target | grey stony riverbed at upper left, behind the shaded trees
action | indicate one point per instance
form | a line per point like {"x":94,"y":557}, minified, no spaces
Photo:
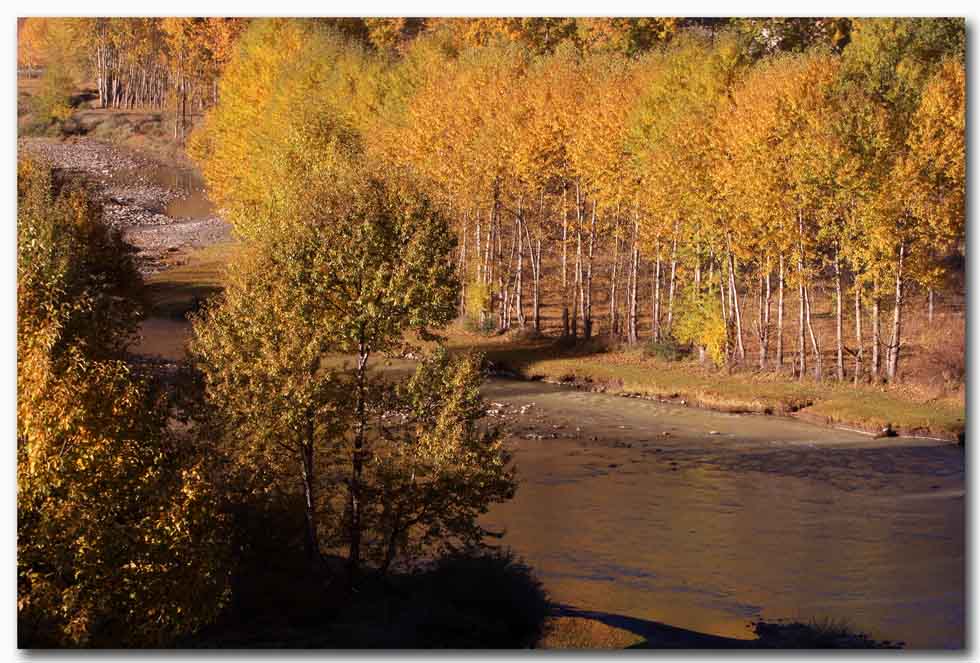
{"x":160,"y":209}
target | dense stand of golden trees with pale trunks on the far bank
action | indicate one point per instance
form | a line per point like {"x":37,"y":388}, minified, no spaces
{"x":699,"y":166}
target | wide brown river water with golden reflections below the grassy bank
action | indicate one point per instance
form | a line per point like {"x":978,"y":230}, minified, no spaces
{"x":709,"y":531}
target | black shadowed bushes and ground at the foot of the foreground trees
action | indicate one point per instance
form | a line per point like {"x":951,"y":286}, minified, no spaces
{"x":474,"y":600}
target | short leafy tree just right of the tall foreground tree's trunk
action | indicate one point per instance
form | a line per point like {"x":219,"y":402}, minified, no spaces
{"x":435,"y":468}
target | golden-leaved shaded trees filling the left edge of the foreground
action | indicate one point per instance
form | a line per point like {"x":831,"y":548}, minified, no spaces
{"x":120,"y":541}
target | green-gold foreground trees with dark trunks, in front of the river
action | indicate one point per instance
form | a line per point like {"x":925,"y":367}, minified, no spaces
{"x":385,"y":469}
